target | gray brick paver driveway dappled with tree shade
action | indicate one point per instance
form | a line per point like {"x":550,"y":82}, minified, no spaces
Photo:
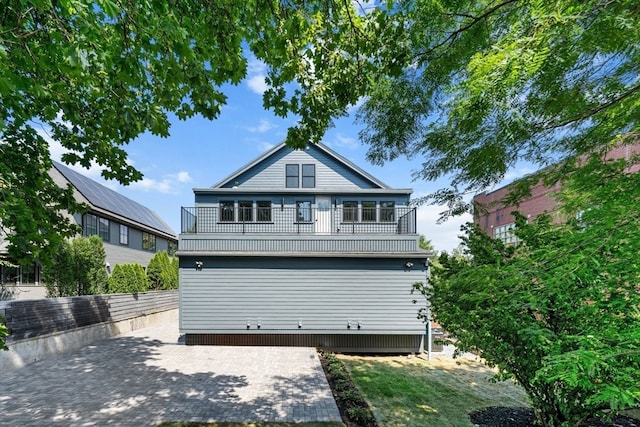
{"x":146,"y":377}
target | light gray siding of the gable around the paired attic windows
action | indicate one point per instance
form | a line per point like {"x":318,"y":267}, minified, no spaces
{"x":270,"y":174}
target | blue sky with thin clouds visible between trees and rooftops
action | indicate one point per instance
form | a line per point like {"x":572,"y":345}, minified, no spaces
{"x":199,"y":153}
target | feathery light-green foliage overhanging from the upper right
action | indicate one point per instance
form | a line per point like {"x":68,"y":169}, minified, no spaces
{"x":490,"y":83}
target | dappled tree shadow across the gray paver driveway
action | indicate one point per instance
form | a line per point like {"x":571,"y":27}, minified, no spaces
{"x":124,"y":381}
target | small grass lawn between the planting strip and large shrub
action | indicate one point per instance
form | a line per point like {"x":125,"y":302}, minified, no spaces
{"x":405,"y":391}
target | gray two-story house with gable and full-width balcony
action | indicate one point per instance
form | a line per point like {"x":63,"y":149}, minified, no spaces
{"x":301,"y":247}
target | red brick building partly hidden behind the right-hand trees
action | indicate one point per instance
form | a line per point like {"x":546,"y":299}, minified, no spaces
{"x":495,"y":218}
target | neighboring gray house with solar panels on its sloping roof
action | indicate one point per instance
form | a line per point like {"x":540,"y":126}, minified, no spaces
{"x":131,"y":233}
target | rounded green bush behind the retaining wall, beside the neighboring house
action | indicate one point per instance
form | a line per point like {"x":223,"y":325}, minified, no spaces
{"x":78,"y":268}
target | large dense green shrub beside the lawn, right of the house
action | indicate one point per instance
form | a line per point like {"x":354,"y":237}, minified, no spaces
{"x":560,"y":312}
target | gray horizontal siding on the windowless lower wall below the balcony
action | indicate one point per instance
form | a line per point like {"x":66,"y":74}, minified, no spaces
{"x":321,"y":294}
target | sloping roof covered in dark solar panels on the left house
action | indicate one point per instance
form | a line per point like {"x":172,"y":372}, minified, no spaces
{"x":104,"y":198}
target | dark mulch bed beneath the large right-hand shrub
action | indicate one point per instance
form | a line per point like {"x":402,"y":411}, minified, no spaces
{"x":499,"y":416}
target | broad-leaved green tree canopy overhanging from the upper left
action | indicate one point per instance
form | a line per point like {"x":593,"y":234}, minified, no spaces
{"x":98,"y":74}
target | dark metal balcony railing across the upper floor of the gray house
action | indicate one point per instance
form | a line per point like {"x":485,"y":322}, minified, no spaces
{"x":288,"y":220}
